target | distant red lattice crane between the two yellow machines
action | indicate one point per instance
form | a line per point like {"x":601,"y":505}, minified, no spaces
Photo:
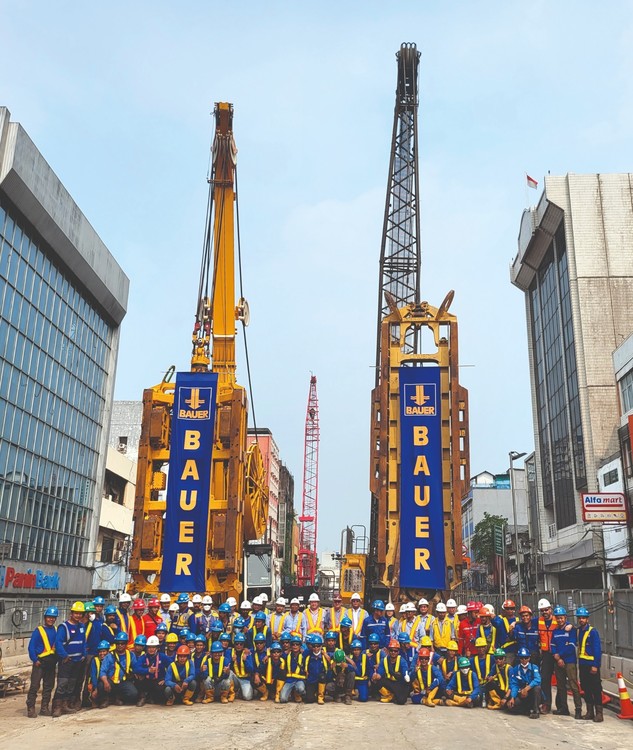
{"x":309,"y":509}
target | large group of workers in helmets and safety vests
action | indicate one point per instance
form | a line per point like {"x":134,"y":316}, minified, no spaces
{"x":185,"y":651}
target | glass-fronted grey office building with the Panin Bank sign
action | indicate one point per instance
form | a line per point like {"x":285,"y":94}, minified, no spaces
{"x":62,"y":300}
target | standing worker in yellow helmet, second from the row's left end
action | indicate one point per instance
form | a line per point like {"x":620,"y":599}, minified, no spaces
{"x":70,"y":646}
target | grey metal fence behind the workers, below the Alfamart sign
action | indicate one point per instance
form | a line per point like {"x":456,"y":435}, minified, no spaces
{"x":611,"y":612}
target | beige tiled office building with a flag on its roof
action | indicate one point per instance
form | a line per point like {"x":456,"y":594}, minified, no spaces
{"x":575,"y":268}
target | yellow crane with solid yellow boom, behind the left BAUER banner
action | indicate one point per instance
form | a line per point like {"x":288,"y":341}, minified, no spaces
{"x":237,"y":504}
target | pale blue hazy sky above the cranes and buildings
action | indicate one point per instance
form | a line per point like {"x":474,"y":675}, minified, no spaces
{"x":118,"y":99}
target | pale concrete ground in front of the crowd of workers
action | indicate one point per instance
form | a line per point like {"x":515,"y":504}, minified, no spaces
{"x":292,"y":726}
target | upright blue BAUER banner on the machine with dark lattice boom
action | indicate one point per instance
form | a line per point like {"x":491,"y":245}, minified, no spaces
{"x":422,"y":558}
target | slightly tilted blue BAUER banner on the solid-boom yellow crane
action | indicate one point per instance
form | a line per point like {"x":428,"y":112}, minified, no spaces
{"x":189,"y":483}
